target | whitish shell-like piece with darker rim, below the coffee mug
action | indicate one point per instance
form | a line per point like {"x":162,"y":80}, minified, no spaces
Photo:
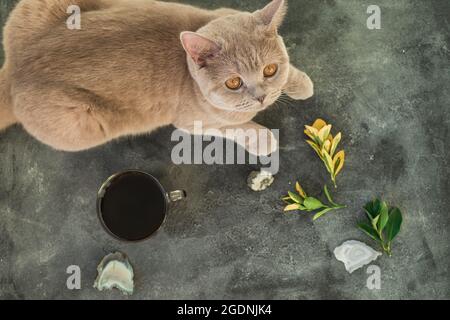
{"x":115,"y":271}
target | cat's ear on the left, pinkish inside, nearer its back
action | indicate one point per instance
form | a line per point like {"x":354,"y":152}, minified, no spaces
{"x":199,"y":48}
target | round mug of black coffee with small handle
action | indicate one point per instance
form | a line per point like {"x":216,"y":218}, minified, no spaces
{"x":132,"y":205}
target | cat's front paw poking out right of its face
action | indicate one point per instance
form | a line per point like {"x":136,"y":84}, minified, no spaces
{"x":299,"y":85}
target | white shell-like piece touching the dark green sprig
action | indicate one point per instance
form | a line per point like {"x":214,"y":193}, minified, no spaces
{"x":355,"y":255}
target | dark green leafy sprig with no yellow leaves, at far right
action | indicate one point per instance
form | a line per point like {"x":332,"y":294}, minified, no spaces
{"x":384,"y":224}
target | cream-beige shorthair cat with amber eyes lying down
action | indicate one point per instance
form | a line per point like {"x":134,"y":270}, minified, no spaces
{"x":134,"y":66}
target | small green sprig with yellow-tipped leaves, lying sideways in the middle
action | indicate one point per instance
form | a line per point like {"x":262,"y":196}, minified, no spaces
{"x":300,"y":201}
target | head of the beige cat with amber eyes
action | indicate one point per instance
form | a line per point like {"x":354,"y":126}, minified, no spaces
{"x":239,"y":62}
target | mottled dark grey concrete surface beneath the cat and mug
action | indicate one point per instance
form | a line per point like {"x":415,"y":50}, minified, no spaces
{"x":386,"y":90}
